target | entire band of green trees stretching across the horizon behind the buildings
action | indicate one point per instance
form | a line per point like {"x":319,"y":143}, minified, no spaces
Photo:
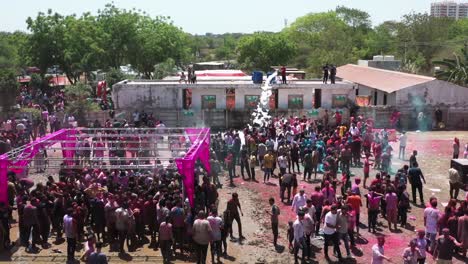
{"x":112,"y":37}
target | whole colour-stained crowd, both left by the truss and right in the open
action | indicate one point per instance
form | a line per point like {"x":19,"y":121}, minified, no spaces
{"x":119,"y":208}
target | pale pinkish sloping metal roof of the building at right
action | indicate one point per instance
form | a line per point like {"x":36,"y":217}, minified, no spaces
{"x":384,"y":80}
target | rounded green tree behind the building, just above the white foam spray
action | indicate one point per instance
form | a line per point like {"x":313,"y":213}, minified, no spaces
{"x":263,"y":50}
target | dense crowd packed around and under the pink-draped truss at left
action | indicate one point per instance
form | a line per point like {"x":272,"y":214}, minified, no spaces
{"x":122,"y":209}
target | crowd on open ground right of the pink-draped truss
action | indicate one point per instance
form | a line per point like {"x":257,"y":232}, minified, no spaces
{"x":333,"y":210}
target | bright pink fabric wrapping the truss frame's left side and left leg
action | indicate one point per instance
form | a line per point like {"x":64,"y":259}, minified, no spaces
{"x":30,"y":150}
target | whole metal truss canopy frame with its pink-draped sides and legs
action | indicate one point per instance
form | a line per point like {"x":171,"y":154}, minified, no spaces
{"x":181,"y":155}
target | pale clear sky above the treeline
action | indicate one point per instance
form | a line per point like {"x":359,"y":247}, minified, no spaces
{"x":213,"y":16}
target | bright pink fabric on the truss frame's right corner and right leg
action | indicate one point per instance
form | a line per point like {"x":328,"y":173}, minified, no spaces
{"x":200,"y":149}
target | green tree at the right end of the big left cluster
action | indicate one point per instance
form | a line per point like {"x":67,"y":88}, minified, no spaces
{"x":157,"y":40}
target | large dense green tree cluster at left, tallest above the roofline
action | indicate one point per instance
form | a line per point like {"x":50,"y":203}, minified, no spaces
{"x":112,"y":38}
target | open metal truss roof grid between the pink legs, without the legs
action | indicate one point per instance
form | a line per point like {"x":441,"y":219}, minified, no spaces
{"x":110,"y":148}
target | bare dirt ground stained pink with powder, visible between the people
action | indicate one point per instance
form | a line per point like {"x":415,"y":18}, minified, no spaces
{"x":435,"y":151}
